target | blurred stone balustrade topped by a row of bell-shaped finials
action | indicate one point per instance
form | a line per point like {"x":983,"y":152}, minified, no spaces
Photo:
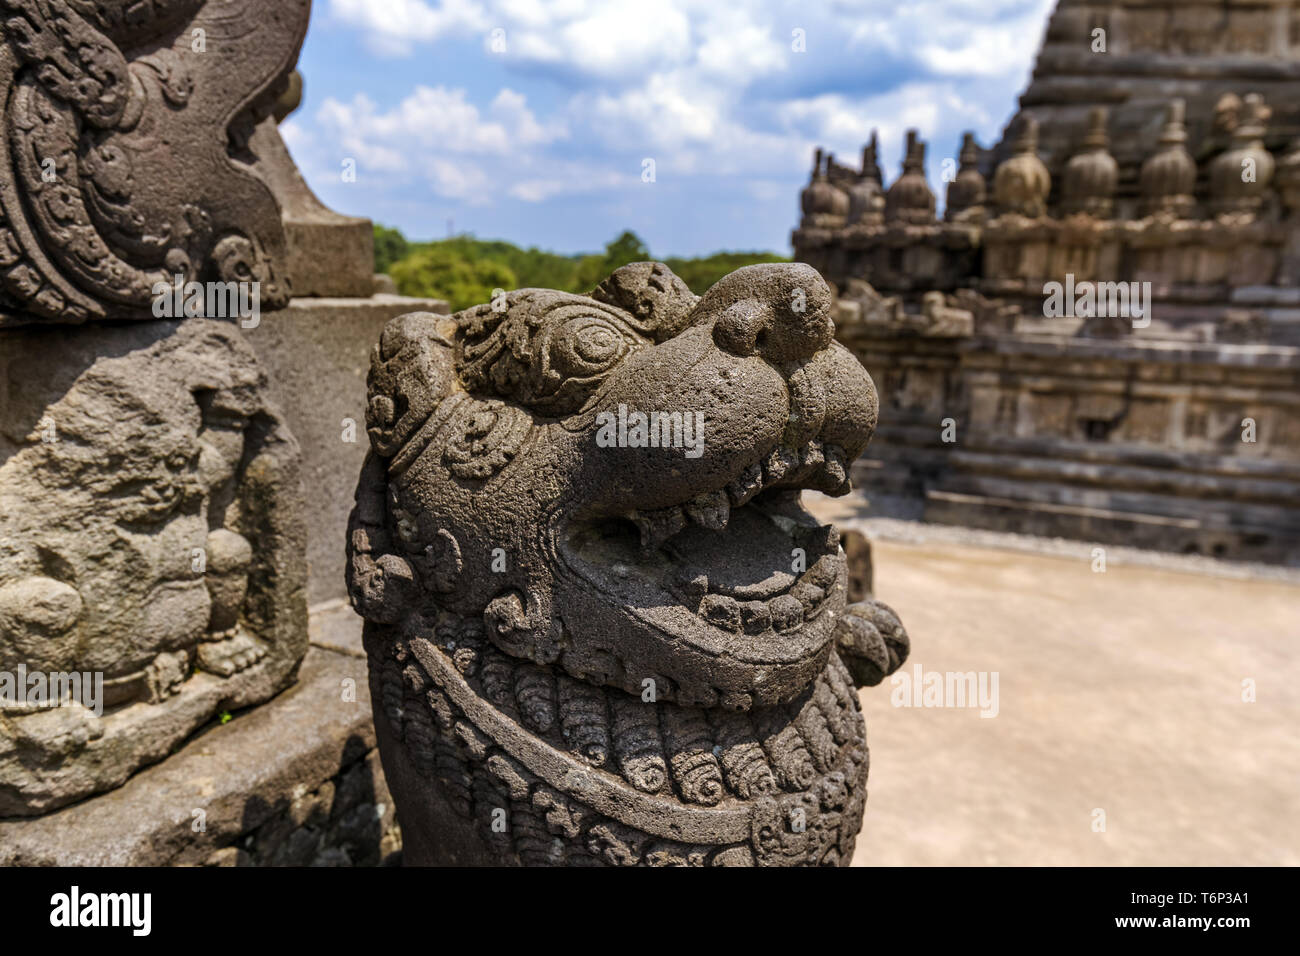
{"x":1108,"y":220}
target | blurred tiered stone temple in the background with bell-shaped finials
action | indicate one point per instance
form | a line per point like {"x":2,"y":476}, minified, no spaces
{"x":1100,"y":338}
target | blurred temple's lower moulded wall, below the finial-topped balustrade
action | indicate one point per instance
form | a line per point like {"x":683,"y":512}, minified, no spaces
{"x":1095,"y":442}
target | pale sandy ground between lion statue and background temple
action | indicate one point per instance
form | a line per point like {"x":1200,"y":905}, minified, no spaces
{"x":1119,"y":693}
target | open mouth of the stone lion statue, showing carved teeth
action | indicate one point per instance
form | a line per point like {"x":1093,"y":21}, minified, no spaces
{"x":742,"y":574}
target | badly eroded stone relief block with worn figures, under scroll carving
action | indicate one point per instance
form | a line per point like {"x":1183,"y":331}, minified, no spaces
{"x":151,"y":534}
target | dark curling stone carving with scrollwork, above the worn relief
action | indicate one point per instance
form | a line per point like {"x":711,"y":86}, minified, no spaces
{"x":124,"y":155}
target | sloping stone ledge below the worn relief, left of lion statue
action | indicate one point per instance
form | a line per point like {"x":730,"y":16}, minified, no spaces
{"x":293,"y":782}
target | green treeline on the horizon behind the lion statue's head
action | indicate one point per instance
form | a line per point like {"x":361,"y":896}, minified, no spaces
{"x":465,"y":270}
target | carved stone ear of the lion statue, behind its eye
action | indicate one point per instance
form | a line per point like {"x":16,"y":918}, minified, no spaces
{"x":413,"y":370}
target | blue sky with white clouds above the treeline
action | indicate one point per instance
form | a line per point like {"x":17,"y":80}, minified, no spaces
{"x":532,"y":120}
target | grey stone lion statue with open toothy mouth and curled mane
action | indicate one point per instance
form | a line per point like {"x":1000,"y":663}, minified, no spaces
{"x":631,"y":656}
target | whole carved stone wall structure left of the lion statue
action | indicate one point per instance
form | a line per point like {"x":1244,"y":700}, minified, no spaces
{"x":184,"y":340}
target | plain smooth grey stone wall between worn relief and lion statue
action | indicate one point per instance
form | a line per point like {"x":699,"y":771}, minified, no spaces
{"x":317,"y":354}
